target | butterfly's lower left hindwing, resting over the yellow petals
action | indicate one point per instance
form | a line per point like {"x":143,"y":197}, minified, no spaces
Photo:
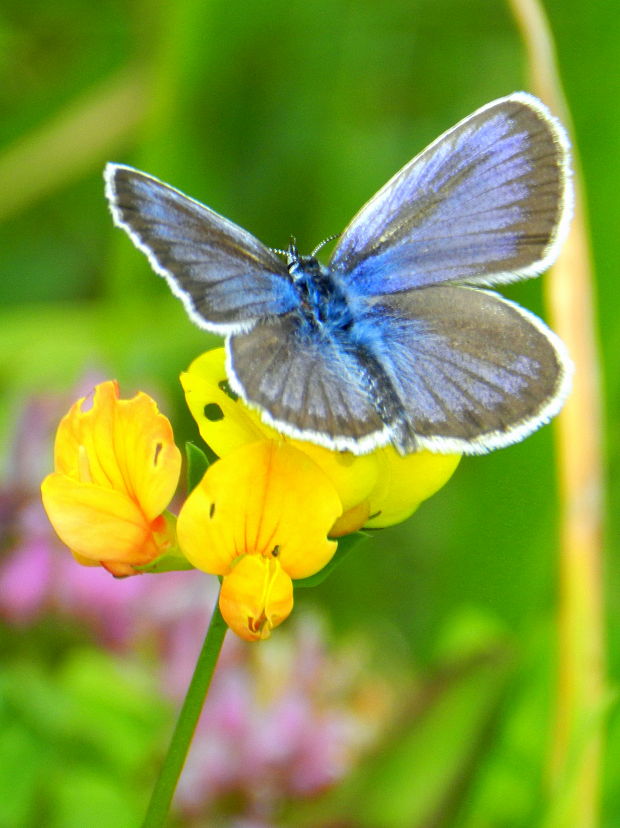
{"x":305,"y":384}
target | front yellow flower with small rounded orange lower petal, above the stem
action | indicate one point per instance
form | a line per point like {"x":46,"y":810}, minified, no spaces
{"x":259,"y":517}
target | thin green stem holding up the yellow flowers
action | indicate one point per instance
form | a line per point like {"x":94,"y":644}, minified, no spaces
{"x":170,"y":772}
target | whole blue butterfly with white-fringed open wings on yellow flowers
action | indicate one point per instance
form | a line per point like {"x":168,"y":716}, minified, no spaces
{"x":398,"y":338}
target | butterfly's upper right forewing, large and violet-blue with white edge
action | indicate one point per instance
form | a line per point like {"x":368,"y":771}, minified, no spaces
{"x":489,"y":201}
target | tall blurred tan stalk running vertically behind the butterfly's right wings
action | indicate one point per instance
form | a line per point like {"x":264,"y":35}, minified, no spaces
{"x":575,"y":761}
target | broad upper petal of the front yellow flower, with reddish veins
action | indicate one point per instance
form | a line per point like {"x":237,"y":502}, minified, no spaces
{"x":266,"y":498}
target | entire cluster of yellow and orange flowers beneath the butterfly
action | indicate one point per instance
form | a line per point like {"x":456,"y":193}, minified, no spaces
{"x":265,"y":514}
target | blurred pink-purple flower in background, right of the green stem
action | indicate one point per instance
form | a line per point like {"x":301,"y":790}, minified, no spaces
{"x":281,"y":722}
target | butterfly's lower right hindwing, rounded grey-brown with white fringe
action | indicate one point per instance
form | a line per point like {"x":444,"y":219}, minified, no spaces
{"x":473,"y":371}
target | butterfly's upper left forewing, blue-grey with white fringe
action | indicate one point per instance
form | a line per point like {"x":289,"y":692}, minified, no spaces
{"x":225,"y":277}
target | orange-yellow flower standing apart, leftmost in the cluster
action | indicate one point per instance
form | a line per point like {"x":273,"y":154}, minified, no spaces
{"x":116,"y":470}
